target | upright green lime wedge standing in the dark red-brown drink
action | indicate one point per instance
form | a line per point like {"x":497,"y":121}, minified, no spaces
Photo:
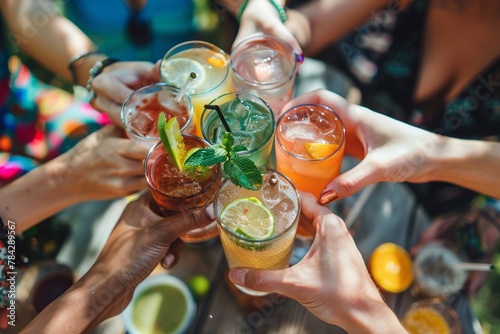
{"x":171,"y":137}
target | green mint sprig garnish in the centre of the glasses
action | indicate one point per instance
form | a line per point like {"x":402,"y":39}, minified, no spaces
{"x":240,"y":170}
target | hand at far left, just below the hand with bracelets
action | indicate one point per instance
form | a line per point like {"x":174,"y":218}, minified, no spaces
{"x":102,"y":165}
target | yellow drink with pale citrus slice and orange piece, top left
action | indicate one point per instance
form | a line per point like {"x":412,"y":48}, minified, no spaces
{"x":211,"y":65}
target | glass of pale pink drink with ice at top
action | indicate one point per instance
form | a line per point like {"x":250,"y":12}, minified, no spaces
{"x":265,"y":66}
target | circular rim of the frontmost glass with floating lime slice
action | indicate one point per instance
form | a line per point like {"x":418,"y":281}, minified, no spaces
{"x":267,"y":170}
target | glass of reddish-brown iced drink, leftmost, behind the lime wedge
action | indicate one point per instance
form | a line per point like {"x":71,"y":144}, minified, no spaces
{"x":140,"y":112}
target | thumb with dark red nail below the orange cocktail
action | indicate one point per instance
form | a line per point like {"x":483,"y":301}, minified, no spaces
{"x":351,"y":182}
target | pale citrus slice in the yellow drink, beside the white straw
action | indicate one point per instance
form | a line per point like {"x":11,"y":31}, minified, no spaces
{"x":177,"y":70}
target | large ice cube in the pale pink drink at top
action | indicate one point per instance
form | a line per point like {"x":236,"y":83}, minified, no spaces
{"x":267,"y":66}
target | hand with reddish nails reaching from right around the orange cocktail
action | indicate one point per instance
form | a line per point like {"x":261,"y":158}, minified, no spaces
{"x":389,"y":150}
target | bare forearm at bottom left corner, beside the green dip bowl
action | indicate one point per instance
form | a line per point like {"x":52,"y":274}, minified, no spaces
{"x":94,"y":298}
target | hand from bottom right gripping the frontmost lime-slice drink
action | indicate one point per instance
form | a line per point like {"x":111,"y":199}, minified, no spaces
{"x":331,"y":280}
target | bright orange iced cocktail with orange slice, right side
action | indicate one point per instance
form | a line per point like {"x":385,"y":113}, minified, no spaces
{"x":310,"y":141}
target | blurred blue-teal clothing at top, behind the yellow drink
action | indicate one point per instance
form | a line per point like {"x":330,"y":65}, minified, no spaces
{"x":105,"y":22}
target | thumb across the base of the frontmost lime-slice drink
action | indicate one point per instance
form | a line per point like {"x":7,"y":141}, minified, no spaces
{"x":257,"y":279}
